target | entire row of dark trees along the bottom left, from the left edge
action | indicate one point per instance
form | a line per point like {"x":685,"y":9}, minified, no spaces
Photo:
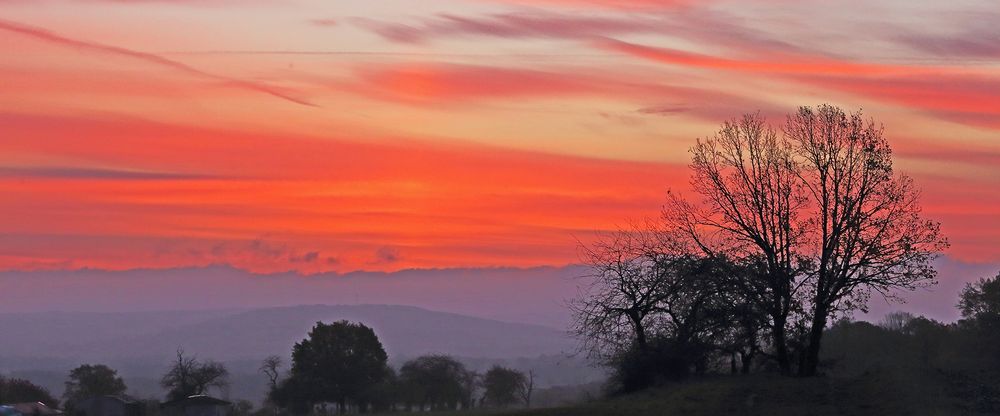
{"x":341,"y":367}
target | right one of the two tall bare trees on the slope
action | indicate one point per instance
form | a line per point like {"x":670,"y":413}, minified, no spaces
{"x":866,"y":230}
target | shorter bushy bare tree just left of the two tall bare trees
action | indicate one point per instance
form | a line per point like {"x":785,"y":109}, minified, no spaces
{"x":653,"y":310}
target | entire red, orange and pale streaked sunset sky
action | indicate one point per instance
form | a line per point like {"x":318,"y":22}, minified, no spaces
{"x":316,"y":136}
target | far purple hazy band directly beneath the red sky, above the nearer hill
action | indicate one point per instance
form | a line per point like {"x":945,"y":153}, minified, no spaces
{"x":541,"y":292}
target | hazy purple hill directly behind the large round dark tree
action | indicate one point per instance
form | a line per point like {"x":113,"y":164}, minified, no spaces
{"x":251,"y":334}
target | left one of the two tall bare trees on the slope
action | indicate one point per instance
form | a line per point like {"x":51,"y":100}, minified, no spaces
{"x":751,"y":197}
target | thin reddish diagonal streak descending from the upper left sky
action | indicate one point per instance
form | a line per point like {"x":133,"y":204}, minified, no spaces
{"x":51,"y":37}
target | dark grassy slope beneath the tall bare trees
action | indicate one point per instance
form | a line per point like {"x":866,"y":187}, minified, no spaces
{"x":872,"y":394}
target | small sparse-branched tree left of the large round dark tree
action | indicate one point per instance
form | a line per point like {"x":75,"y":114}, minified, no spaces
{"x":188,"y":376}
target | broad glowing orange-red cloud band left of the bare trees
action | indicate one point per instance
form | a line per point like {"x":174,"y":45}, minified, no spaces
{"x":439,"y":205}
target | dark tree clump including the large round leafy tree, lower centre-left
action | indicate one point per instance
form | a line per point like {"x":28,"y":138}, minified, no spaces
{"x":344,"y":365}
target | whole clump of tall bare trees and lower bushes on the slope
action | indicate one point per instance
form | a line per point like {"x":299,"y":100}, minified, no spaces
{"x":789,"y":227}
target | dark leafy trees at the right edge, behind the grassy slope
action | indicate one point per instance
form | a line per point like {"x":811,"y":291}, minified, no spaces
{"x":964,"y":354}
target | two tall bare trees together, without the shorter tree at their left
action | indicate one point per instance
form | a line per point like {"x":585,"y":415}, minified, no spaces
{"x":816,"y":213}
